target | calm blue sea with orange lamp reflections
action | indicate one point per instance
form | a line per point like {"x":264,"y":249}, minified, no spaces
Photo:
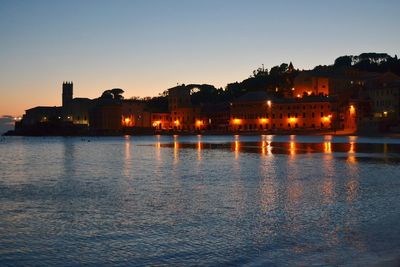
{"x":199,"y":200}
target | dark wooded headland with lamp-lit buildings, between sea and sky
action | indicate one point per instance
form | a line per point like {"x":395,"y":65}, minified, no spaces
{"x":356,"y":94}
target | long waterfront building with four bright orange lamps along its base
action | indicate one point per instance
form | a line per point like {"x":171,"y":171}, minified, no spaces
{"x":258,"y":111}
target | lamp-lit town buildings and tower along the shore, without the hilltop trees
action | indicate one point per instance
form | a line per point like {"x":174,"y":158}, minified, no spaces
{"x":320,"y":100}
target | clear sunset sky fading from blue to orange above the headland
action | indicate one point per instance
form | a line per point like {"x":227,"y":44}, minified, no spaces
{"x":145,"y":47}
